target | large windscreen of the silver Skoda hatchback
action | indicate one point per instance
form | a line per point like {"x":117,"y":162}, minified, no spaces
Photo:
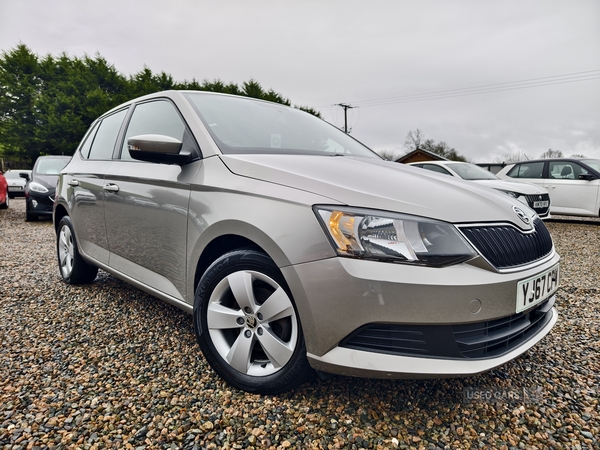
{"x":242,"y":125}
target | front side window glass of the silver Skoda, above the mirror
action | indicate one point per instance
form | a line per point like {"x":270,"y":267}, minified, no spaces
{"x":157,"y":117}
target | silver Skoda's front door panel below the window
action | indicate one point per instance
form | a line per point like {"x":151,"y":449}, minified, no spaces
{"x":146,"y":220}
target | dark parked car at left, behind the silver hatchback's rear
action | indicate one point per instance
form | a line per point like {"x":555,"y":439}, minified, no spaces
{"x":40,"y":187}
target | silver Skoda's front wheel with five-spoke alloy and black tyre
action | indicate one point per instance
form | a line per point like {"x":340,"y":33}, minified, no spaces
{"x":247,"y":325}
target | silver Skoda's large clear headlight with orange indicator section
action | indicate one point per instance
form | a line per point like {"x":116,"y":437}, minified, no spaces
{"x":369,"y":234}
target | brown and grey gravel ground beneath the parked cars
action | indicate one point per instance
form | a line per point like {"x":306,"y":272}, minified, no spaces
{"x":106,"y":366}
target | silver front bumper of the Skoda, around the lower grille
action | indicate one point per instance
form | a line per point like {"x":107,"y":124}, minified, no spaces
{"x":338,"y":297}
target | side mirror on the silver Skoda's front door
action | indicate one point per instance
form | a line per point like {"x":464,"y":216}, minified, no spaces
{"x":157,"y":148}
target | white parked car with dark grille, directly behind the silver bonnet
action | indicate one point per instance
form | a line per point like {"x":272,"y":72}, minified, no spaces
{"x":535,"y":197}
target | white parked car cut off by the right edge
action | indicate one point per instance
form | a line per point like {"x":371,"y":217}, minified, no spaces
{"x":573,"y":184}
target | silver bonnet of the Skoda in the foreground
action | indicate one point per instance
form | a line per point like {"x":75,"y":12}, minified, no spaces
{"x":383,"y":185}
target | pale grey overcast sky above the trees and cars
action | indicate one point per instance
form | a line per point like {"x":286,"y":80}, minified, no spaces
{"x":320,"y":53}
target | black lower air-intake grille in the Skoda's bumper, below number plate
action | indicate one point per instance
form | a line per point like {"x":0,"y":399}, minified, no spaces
{"x":478,"y":340}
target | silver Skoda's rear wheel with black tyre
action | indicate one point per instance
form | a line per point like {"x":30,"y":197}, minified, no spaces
{"x":73,"y":268}
